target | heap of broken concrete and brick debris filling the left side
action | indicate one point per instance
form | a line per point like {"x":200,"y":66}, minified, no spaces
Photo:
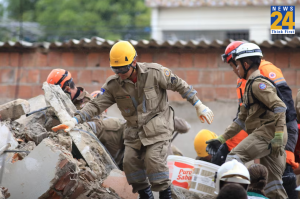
{"x":36,"y":162}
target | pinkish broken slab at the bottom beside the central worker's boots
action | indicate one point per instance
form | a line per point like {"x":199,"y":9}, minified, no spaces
{"x":122,"y":188}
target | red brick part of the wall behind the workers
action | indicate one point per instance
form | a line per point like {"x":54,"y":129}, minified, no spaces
{"x":89,"y":67}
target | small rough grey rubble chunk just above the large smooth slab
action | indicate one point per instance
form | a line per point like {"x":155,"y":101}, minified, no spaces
{"x":36,"y":133}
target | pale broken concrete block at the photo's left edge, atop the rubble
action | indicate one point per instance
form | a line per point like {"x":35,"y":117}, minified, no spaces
{"x":14,"y":109}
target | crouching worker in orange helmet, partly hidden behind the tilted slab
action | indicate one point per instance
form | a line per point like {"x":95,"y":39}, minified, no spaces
{"x":109,"y":130}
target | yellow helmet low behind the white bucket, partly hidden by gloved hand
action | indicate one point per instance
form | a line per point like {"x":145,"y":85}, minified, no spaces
{"x":200,"y":139}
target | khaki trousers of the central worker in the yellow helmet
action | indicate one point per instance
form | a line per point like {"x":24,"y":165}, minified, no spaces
{"x":147,"y":166}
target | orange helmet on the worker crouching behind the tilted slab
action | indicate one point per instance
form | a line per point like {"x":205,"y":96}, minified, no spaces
{"x":59,"y":77}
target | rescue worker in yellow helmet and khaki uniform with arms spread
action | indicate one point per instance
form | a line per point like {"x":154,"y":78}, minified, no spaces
{"x":140,"y":91}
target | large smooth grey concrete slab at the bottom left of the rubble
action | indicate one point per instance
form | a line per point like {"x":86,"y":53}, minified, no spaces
{"x":34,"y":176}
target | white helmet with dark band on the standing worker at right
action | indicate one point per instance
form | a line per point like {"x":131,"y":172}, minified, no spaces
{"x":247,"y":50}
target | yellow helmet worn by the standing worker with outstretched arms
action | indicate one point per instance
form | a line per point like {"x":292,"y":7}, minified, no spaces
{"x":121,"y":54}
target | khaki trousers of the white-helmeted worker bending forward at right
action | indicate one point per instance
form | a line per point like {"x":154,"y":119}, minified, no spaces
{"x":256,"y":147}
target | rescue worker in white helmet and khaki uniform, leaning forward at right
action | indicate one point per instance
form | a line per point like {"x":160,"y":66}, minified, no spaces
{"x":263,"y":117}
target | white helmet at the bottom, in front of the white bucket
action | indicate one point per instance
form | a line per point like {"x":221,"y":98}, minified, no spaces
{"x":232,"y":171}
